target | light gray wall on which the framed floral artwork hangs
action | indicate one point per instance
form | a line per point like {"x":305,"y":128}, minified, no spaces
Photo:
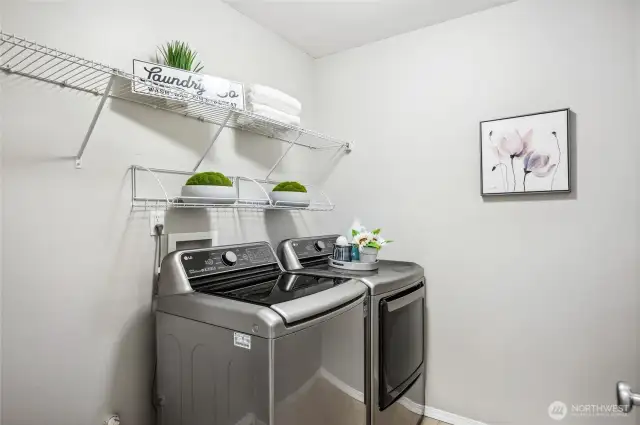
{"x":531,"y":299}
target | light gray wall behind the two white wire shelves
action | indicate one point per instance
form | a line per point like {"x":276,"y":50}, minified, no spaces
{"x":77,"y":334}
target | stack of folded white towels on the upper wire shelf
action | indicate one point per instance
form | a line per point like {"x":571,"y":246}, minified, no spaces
{"x":274,"y":104}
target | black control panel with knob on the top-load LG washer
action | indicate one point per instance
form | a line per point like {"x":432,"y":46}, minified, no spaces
{"x":226,"y":258}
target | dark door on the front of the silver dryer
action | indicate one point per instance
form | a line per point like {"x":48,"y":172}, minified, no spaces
{"x":401,"y":343}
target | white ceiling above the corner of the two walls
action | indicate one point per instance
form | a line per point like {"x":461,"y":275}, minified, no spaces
{"x":323,"y":27}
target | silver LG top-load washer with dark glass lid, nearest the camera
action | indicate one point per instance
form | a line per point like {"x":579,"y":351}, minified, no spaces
{"x":241,"y":342}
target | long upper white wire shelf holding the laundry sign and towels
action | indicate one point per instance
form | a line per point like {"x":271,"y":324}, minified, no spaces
{"x":25,"y":58}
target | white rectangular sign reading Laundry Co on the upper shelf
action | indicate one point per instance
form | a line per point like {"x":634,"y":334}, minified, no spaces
{"x":188,"y":85}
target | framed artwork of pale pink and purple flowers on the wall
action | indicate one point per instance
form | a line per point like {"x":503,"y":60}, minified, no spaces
{"x":525,"y":154}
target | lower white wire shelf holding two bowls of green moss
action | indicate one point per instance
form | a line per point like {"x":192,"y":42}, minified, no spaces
{"x":165,"y":196}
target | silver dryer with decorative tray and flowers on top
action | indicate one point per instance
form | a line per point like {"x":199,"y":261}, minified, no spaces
{"x":395,"y":329}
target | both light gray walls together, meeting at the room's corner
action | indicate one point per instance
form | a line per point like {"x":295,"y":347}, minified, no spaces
{"x":526,"y":297}
